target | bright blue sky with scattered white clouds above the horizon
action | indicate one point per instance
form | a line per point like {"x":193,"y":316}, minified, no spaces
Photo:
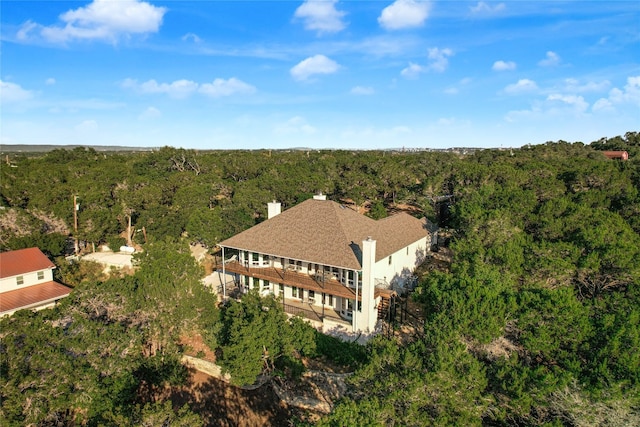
{"x":321,"y":74}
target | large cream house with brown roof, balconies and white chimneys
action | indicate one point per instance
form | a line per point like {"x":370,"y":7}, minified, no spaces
{"x":326,"y":260}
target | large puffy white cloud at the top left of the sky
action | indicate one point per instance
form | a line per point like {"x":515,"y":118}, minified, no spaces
{"x":106,"y":20}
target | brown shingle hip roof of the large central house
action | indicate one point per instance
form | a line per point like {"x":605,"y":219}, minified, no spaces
{"x":325,"y":232}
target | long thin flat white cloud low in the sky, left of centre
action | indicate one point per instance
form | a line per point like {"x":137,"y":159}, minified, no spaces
{"x":183,"y":88}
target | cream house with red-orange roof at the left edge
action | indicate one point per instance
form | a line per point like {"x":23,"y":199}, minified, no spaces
{"x":26,"y":281}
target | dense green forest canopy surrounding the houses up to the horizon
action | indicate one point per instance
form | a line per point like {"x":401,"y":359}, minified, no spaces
{"x":536,"y":321}
